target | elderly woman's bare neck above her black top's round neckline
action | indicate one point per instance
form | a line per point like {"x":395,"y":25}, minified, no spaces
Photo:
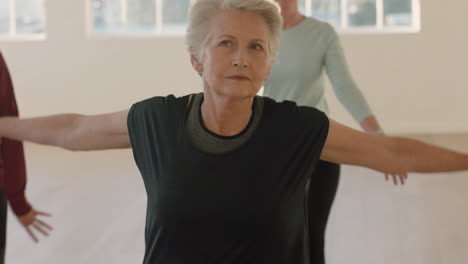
{"x":224,"y":115}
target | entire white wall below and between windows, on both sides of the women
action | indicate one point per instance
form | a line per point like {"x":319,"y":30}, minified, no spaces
{"x":414,"y":82}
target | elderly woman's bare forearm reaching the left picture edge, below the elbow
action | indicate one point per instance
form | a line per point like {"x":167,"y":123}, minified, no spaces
{"x":50,"y":130}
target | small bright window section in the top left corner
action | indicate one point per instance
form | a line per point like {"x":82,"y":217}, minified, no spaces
{"x":22,"y":18}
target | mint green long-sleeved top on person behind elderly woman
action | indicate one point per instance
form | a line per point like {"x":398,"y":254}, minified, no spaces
{"x":306,"y":51}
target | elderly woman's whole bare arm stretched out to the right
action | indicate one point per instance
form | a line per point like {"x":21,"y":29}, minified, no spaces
{"x":388,"y":154}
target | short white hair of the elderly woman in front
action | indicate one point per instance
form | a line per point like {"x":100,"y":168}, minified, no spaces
{"x":203,"y":10}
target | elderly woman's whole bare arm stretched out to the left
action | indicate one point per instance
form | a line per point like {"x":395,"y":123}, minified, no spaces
{"x":70,"y":131}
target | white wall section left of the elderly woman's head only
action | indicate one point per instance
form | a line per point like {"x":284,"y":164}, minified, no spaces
{"x":72,"y":72}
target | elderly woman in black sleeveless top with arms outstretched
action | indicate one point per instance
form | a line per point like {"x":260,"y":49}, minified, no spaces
{"x":225,"y":171}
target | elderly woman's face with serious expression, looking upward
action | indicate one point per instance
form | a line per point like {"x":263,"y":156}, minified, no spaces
{"x":236,"y":60}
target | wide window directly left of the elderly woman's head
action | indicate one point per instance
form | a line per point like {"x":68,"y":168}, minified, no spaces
{"x":139,"y":17}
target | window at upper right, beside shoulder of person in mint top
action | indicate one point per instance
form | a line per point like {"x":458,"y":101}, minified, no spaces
{"x":366,"y":16}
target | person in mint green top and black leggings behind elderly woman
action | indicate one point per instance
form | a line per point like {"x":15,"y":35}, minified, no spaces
{"x":308,"y":49}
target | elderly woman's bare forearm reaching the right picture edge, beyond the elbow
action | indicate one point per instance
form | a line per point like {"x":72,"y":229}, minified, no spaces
{"x":417,"y":156}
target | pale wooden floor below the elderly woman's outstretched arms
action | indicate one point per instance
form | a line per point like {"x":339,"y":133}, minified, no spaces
{"x":98,"y":204}
